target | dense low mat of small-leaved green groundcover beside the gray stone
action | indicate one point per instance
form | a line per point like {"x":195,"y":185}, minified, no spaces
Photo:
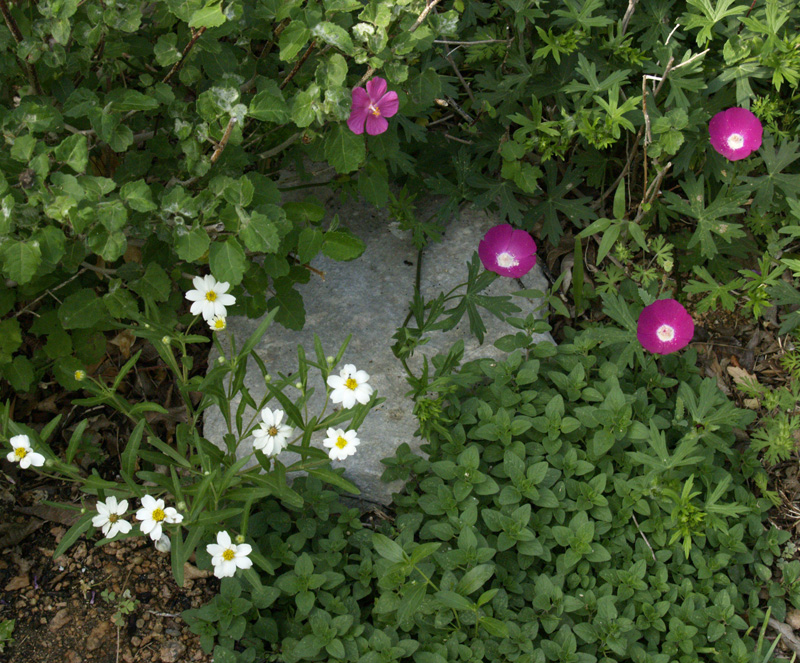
{"x":565,"y":509}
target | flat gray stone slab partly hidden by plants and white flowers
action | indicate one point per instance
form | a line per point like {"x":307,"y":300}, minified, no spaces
{"x":369,"y":298}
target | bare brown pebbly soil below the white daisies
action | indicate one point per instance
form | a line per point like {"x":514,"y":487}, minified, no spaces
{"x":57,"y":604}
